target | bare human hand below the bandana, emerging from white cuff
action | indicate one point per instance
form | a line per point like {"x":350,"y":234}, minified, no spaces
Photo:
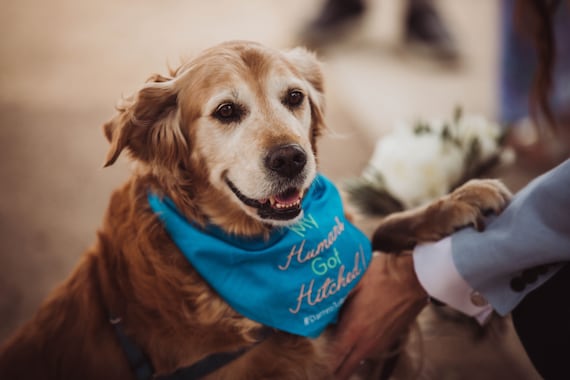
{"x":379,"y":310}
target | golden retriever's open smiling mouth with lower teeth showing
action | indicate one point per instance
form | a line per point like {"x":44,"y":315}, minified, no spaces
{"x":282,"y":206}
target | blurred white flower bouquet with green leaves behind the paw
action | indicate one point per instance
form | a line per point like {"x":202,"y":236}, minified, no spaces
{"x":416,"y":163}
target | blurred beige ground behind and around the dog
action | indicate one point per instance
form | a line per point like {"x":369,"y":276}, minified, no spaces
{"x":65,"y":63}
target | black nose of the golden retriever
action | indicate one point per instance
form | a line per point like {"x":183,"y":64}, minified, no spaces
{"x":286,"y":160}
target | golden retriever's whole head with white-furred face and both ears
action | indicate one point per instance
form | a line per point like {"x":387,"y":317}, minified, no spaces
{"x":237,"y":126}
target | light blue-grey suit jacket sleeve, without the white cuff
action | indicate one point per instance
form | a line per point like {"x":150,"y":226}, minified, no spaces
{"x":533,"y":230}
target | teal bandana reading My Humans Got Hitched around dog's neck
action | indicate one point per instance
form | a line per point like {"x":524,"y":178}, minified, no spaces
{"x":295,"y":281}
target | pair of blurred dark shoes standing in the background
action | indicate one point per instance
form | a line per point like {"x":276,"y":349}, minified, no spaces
{"x":423,"y":26}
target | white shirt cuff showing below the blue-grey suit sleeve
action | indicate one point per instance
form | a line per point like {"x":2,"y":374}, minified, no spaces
{"x":436,"y":271}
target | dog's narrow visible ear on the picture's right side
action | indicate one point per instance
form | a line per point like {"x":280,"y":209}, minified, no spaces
{"x":309,"y":66}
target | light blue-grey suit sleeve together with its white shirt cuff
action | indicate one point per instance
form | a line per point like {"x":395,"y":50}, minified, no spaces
{"x":533,"y":230}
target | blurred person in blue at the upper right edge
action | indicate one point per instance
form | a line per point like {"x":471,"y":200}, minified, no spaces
{"x":518,"y":60}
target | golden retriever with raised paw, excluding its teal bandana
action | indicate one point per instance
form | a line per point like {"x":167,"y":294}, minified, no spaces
{"x":230,"y":139}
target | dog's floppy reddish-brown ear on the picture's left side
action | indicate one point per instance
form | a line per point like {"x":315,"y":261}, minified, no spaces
{"x":148,"y":124}
